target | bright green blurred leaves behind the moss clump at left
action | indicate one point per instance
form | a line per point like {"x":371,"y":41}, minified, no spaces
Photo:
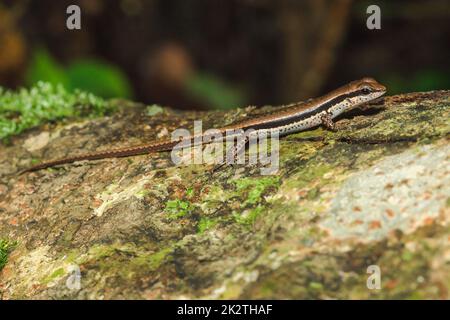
{"x":100,"y":78}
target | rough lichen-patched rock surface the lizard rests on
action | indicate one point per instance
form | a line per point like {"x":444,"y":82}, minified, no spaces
{"x":373,"y":196}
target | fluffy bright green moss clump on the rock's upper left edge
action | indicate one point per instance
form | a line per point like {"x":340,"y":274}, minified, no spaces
{"x":44,"y":102}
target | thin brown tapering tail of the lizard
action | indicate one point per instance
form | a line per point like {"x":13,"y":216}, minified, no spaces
{"x":114,"y":153}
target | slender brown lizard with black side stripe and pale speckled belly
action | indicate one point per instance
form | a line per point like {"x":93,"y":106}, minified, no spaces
{"x":289,"y":119}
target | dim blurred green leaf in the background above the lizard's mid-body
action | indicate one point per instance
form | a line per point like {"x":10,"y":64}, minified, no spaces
{"x":214,"y":92}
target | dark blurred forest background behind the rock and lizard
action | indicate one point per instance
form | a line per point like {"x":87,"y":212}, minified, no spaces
{"x":223,"y":54}
